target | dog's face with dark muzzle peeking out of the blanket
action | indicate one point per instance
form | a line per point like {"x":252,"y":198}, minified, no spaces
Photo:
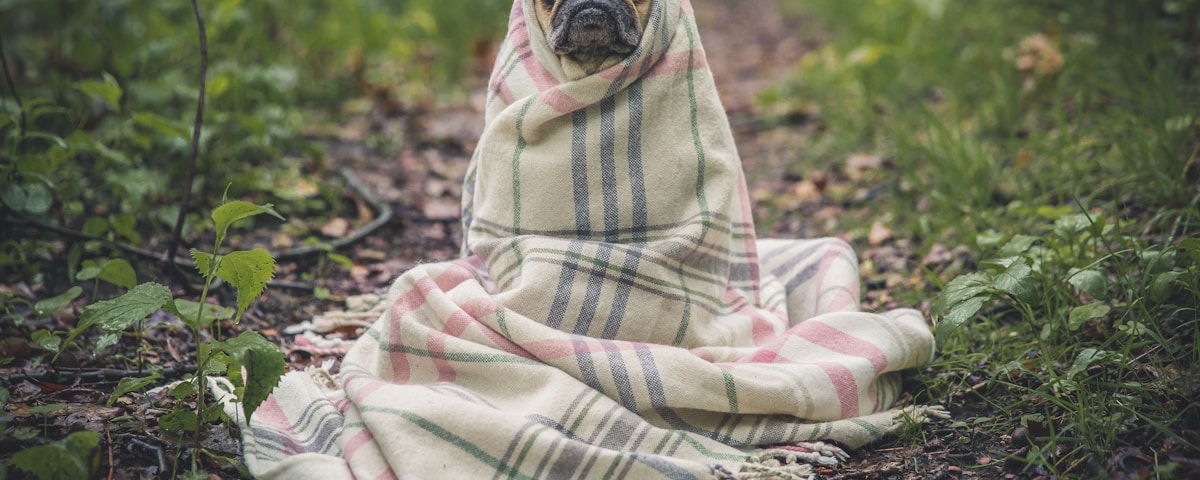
{"x":595,"y":34}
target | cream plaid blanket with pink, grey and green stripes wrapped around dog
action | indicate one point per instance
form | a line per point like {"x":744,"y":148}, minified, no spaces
{"x":614,"y":314}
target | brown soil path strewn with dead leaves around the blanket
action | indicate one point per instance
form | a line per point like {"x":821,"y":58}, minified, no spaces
{"x":417,"y":170}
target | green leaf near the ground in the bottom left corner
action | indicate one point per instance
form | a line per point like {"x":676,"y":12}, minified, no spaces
{"x":74,"y":458}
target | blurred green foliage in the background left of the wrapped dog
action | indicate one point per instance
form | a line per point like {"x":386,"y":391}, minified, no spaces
{"x":97,"y":125}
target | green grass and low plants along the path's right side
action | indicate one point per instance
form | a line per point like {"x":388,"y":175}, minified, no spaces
{"x":1058,"y":141}
